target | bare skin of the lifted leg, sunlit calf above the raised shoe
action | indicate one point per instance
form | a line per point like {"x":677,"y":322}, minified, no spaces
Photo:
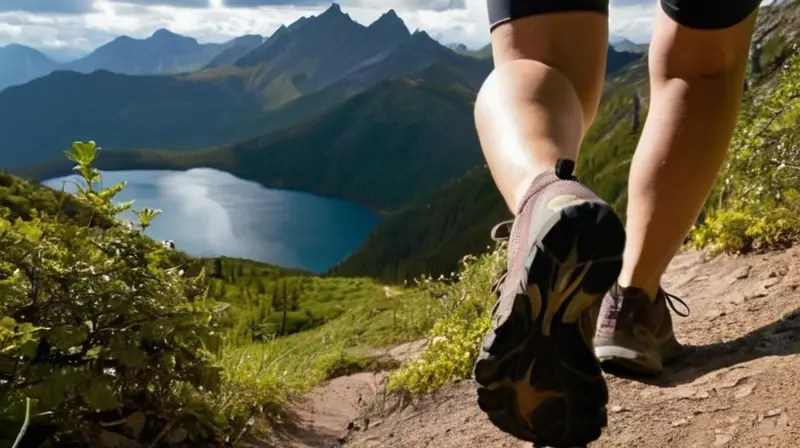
{"x":543,"y":94}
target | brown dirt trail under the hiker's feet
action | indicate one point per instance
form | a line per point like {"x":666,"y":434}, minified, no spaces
{"x":737,"y":386}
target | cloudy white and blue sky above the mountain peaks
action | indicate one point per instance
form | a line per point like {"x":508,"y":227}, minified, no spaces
{"x":67,"y":28}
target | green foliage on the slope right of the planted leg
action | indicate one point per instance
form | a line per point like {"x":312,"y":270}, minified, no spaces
{"x":754,"y":206}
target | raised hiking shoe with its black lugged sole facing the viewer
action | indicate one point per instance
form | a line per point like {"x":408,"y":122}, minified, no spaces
{"x":538,"y":378}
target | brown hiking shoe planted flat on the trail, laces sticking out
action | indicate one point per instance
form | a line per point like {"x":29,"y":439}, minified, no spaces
{"x":634,"y":333}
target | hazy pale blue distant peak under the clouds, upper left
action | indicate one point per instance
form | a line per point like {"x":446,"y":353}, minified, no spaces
{"x":163,"y":52}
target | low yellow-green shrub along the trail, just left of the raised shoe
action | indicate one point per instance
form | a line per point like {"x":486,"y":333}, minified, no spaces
{"x":455,"y":338}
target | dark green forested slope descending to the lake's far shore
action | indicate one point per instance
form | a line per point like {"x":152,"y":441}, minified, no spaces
{"x":381,"y":148}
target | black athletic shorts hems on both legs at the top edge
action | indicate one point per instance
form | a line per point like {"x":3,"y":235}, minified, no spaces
{"x":700,"y":14}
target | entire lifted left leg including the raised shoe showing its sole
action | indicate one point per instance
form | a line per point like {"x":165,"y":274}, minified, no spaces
{"x":538,"y":377}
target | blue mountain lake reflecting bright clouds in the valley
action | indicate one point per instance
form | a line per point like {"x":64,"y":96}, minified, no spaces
{"x":209,"y":212}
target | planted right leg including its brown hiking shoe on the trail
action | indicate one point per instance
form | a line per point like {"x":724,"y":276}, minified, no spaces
{"x":697,"y":65}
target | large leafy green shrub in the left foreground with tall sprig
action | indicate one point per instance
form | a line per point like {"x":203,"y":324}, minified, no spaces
{"x":101,"y":331}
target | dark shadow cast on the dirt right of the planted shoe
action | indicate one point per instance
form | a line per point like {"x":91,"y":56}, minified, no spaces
{"x":781,"y":338}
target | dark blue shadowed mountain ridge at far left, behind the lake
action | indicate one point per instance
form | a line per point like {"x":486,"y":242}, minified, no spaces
{"x":125,"y":111}
